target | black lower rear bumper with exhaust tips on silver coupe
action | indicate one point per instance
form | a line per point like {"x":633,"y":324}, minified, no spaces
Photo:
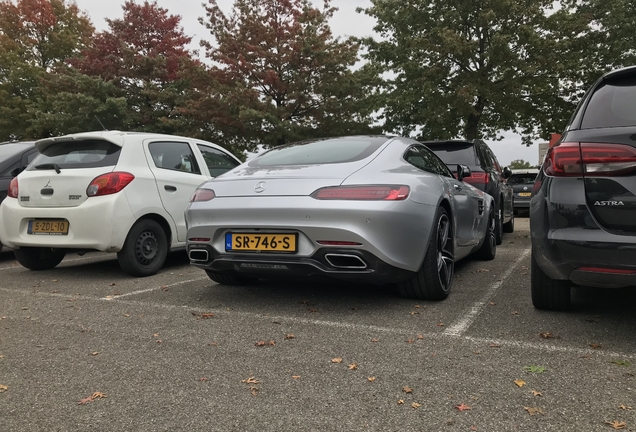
{"x":368,"y":268}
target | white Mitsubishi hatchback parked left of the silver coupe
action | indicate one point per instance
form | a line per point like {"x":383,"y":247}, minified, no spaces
{"x":110,"y":191}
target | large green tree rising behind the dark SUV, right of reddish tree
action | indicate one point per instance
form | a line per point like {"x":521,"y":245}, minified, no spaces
{"x":469,"y":69}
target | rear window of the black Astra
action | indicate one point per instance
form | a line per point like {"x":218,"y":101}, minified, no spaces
{"x":613,"y":104}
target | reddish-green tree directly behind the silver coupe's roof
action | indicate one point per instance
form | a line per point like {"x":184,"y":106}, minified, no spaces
{"x":286,"y":77}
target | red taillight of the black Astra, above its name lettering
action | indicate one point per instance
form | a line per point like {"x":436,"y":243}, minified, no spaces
{"x":590,"y":159}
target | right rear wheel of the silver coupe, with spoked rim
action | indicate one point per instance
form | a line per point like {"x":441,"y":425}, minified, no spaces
{"x":434,"y":278}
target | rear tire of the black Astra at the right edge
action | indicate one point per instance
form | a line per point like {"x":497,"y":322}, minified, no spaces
{"x":548,"y":293}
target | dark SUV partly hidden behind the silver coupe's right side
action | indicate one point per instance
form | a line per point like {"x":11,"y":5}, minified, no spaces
{"x":486,"y":174}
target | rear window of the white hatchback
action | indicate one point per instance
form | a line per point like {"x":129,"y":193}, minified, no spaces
{"x":77,"y":154}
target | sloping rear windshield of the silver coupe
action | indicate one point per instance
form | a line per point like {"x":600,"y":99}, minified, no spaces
{"x":327,"y":151}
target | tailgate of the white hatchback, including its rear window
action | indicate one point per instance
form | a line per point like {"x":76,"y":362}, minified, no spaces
{"x":61,"y":172}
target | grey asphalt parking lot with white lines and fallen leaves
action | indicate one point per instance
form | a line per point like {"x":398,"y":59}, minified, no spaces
{"x":86,"y":347}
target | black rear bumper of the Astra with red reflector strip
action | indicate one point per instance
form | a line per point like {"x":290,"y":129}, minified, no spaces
{"x":566,"y":239}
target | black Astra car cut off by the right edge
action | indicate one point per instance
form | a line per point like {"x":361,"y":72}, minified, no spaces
{"x":583,"y":207}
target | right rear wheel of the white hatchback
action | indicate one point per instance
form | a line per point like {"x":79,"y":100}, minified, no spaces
{"x":145,"y":249}
